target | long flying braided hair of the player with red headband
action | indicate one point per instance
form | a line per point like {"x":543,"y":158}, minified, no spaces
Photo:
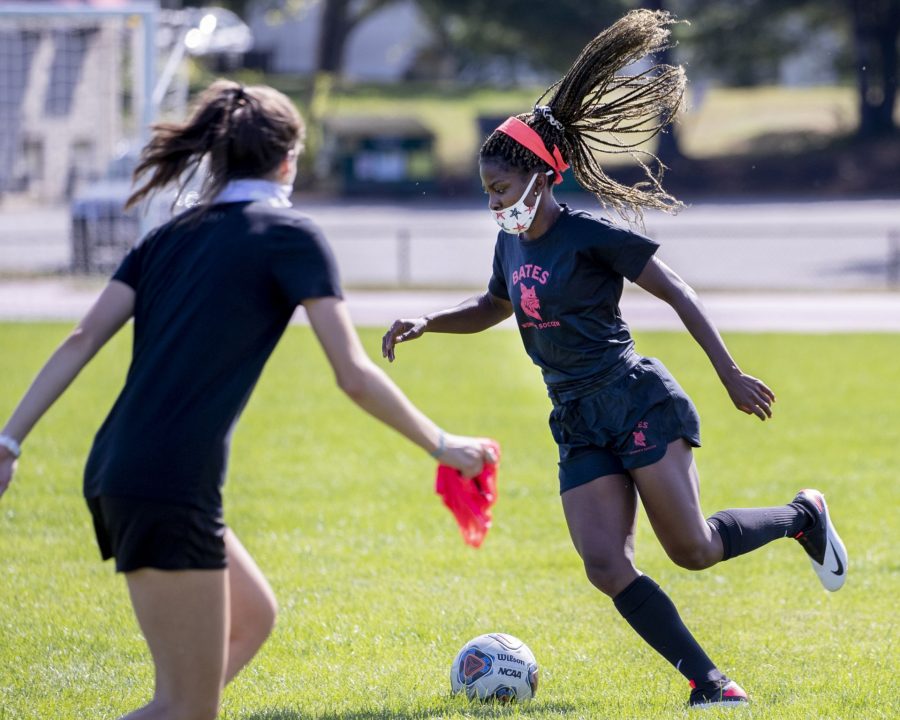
{"x":593,"y":109}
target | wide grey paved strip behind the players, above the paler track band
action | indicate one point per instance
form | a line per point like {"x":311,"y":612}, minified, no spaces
{"x":822,"y":246}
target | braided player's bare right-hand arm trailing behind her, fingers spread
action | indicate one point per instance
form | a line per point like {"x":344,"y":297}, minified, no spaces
{"x":749,"y":394}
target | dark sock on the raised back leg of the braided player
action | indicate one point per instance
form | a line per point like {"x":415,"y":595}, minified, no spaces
{"x":743,"y":530}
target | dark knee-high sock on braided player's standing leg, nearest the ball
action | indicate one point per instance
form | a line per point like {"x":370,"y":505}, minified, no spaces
{"x":654,"y":617}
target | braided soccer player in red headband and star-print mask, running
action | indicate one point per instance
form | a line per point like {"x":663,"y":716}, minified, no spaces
{"x":624,"y":427}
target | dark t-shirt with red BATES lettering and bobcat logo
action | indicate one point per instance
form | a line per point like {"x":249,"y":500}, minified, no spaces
{"x":565,"y":288}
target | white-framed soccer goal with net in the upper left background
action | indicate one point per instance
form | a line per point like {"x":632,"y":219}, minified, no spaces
{"x":32,"y":66}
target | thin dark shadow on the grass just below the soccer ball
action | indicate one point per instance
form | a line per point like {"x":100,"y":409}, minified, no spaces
{"x":474,"y":711}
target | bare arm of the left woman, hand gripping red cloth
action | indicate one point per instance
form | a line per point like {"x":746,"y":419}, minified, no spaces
{"x":368,"y":386}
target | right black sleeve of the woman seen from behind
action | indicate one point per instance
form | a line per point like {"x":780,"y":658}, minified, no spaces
{"x":302,"y":263}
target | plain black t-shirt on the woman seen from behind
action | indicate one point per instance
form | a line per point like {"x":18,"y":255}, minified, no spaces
{"x":213,"y":297}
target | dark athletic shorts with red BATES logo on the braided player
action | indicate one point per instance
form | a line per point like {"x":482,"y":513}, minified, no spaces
{"x":625,"y":424}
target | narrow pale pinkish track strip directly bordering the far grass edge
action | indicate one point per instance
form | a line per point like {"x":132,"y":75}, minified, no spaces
{"x":67,"y":300}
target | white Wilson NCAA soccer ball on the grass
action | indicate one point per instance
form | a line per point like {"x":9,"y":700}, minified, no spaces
{"x":495,"y":666}
